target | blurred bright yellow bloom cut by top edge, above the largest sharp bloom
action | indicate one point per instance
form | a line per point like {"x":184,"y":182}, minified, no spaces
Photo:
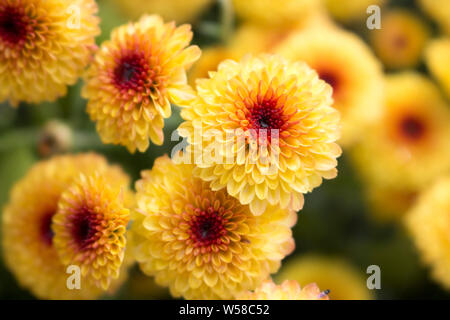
{"x":272,"y":13}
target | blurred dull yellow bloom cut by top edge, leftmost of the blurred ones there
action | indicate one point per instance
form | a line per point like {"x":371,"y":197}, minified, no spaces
{"x":177,"y":10}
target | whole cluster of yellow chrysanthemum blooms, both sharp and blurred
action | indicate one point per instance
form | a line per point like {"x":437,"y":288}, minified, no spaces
{"x":278,"y":100}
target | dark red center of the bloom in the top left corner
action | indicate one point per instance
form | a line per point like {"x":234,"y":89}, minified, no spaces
{"x":14,"y":25}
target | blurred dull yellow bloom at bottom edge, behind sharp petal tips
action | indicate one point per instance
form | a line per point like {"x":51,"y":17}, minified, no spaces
{"x":337,"y":276}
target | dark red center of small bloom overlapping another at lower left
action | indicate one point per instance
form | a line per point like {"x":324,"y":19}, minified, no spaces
{"x":84,"y":228}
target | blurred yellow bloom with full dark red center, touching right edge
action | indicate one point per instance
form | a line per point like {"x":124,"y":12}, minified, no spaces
{"x":410,"y":146}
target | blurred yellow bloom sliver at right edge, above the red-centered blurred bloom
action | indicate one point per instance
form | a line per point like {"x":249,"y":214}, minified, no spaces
{"x":437,"y":58}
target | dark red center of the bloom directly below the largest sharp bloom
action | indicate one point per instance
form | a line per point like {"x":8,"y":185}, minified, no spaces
{"x":207,"y":227}
